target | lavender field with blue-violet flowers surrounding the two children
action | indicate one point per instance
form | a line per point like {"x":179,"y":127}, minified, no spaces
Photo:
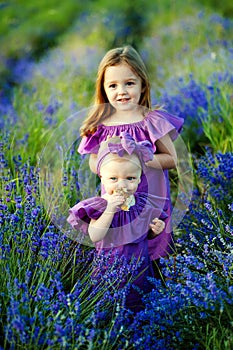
{"x":48,"y":300}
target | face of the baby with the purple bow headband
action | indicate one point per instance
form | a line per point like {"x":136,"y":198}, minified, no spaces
{"x":121,"y":173}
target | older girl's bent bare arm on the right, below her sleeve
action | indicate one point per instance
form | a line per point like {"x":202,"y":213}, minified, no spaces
{"x":166,"y":158}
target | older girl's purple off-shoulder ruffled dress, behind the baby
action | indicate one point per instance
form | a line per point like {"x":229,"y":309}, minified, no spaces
{"x":154,"y":126}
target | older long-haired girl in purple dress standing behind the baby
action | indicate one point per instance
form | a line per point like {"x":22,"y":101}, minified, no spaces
{"x":122,"y":103}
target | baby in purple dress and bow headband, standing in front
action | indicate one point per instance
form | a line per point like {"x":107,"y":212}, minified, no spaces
{"x":120,"y":221}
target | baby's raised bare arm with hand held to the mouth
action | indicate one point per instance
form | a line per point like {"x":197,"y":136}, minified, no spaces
{"x":99,"y":228}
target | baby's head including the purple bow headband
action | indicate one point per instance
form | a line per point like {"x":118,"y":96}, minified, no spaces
{"x":120,"y":163}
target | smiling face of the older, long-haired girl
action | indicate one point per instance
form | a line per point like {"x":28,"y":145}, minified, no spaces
{"x":122,"y":87}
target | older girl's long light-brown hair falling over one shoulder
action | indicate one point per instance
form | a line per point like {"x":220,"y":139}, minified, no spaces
{"x":102,"y":108}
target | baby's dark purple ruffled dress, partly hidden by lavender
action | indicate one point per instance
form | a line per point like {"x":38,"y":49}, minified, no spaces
{"x":127,"y":235}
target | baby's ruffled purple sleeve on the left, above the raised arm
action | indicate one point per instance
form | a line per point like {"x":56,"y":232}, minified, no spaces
{"x":81,"y":214}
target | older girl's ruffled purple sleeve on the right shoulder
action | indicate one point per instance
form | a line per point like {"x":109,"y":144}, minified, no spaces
{"x":159,"y":123}
